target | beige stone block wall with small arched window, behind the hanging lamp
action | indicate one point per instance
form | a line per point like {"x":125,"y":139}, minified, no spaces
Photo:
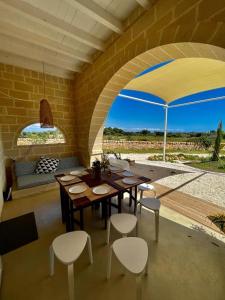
{"x":25,"y":90}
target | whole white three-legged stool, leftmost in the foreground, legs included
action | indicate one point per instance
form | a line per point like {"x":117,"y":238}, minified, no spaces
{"x":67,"y":248}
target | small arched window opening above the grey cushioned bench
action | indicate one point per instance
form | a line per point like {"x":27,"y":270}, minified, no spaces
{"x":35,"y":135}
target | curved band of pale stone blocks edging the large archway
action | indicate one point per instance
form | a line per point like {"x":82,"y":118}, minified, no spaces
{"x":134,"y":67}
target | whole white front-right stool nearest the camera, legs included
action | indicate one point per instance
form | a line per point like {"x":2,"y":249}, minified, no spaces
{"x":132,"y":253}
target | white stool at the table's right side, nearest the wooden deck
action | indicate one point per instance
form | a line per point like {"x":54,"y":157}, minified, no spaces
{"x":154,"y":205}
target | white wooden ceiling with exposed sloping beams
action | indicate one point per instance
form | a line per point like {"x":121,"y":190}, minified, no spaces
{"x":64,"y":34}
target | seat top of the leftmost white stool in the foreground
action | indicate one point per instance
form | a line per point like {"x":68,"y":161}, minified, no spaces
{"x":69,"y":246}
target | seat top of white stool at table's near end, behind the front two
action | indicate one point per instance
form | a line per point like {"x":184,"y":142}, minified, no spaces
{"x":123,"y":223}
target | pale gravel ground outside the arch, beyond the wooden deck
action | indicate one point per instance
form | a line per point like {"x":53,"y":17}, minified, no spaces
{"x":205,"y":185}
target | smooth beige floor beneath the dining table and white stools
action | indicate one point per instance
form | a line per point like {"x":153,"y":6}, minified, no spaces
{"x":185,"y":264}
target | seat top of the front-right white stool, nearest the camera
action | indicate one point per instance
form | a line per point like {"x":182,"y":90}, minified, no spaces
{"x":132,"y":252}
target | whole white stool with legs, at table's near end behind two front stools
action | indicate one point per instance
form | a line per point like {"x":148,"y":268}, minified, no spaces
{"x":123,"y":223}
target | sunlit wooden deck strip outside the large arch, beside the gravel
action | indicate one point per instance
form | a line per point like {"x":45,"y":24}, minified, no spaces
{"x":187,"y":205}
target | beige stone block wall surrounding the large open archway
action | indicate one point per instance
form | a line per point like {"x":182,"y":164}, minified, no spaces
{"x":168,"y":21}
